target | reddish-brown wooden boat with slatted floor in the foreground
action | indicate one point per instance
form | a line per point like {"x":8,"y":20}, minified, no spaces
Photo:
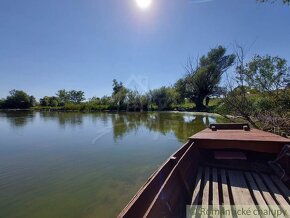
{"x":225,"y":164}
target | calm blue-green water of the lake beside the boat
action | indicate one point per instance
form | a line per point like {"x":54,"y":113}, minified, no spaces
{"x":58,"y":165}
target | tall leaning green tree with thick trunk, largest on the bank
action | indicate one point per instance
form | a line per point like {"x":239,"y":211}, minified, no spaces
{"x":202,"y":81}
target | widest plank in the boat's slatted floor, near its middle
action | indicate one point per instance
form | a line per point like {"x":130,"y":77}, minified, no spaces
{"x":241,"y":194}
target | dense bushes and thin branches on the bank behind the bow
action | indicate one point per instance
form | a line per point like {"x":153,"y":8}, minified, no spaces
{"x":262,"y":94}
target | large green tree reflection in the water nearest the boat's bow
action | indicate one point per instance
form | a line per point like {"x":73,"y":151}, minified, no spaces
{"x":182,"y":125}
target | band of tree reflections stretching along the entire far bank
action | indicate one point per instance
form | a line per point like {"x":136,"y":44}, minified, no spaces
{"x":182,"y":125}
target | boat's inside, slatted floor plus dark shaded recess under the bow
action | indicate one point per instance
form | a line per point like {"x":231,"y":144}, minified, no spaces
{"x":250,"y":181}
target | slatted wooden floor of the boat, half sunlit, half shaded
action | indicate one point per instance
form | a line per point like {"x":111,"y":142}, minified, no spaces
{"x":221,"y":186}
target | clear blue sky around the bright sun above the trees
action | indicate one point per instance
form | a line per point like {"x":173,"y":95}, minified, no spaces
{"x":85,"y":44}
